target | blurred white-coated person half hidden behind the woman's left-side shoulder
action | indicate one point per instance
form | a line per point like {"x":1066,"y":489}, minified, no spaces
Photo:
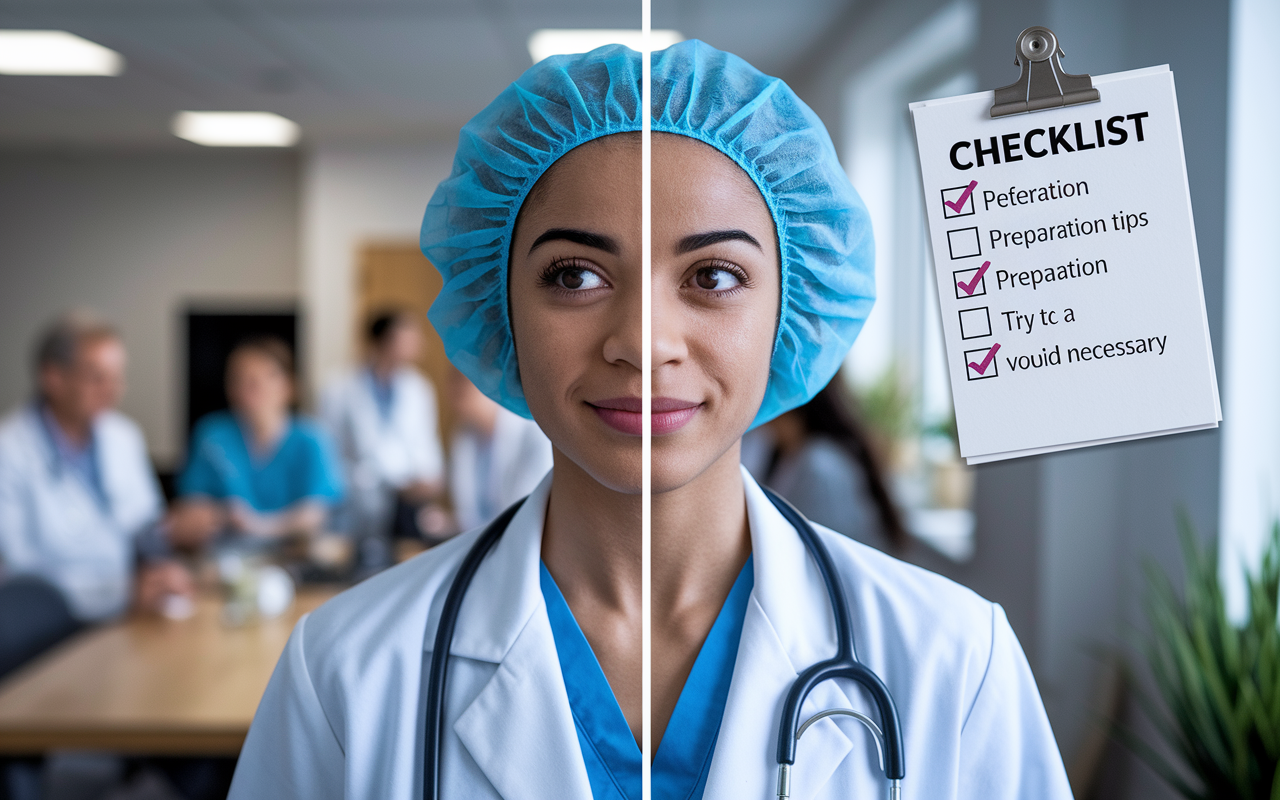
{"x":496,"y":459}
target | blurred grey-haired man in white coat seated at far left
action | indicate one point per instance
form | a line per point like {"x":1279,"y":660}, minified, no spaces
{"x":80,"y":504}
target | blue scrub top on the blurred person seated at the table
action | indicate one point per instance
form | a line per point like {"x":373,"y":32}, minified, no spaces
{"x":222,"y":467}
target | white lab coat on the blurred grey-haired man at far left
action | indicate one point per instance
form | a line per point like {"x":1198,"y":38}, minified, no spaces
{"x":53,"y":525}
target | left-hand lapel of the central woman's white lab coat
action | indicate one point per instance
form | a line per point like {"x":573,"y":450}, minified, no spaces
{"x":519,"y":729}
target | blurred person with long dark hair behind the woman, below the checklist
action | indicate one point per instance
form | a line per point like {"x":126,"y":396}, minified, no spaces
{"x":821,"y":460}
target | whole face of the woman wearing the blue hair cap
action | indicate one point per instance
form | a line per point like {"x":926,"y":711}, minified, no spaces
{"x":575,"y":307}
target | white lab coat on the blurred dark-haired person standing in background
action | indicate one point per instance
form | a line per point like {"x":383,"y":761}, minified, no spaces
{"x":381,"y":455}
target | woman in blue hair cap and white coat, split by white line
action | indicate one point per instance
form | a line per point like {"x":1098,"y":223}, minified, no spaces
{"x":761,"y":280}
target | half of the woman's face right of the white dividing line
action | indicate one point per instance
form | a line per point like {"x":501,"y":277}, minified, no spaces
{"x":716,"y":294}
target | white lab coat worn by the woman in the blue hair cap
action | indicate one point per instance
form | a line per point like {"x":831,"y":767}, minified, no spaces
{"x":344,"y":715}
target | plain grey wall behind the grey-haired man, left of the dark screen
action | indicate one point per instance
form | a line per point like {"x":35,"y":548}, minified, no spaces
{"x":136,"y":237}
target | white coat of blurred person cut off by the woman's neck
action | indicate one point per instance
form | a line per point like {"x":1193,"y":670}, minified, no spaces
{"x":520,"y":455}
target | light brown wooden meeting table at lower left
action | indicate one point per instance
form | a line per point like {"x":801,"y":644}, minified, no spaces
{"x":149,"y":685}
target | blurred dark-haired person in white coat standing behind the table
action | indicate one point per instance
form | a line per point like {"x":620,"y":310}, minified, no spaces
{"x":386,"y":422}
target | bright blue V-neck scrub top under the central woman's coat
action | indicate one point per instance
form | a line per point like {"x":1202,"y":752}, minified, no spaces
{"x":611,"y":753}
